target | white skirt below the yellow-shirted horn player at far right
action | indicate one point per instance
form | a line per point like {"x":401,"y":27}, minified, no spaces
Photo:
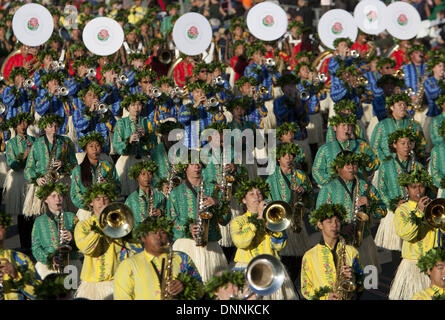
{"x":408,"y":281}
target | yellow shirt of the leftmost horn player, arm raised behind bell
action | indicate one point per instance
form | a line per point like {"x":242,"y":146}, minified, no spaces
{"x":101,"y":255}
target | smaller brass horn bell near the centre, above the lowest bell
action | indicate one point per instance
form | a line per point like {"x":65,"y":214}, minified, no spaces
{"x":277,"y":215}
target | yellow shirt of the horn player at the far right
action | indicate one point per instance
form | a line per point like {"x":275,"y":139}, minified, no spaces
{"x":417,"y":238}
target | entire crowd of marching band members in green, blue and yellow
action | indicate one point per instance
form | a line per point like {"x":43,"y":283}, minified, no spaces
{"x":362,"y":134}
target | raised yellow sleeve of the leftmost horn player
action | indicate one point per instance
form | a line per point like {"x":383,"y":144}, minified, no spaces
{"x":87,"y":240}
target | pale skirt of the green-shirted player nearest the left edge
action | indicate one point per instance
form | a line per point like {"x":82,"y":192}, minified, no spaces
{"x":14,"y":192}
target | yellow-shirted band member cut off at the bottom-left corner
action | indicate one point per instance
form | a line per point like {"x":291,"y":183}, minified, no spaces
{"x":14,"y":267}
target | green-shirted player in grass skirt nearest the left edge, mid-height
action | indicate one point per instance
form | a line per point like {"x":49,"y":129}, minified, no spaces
{"x":14,"y":192}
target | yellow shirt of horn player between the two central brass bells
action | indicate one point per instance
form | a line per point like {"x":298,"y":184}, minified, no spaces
{"x":250,"y":242}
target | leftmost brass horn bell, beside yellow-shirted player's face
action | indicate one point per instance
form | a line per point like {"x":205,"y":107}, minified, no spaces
{"x":116,"y":220}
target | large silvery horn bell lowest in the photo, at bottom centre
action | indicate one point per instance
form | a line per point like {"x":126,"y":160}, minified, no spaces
{"x":265,"y":275}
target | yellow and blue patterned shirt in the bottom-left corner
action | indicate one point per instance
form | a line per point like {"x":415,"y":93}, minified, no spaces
{"x":18,"y":259}
